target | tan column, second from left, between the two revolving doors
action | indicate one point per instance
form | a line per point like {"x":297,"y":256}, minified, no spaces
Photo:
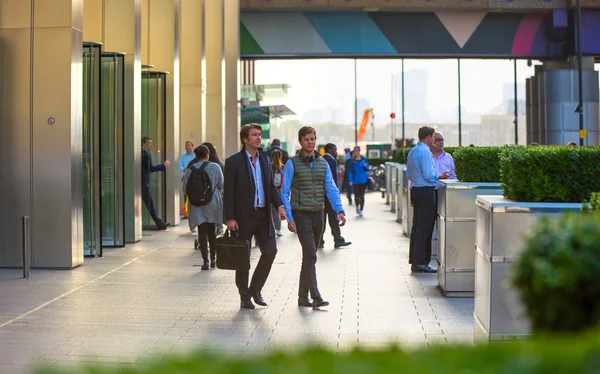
{"x":117,"y":24}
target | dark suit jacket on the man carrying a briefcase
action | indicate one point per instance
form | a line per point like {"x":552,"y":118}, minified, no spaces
{"x":239,"y":191}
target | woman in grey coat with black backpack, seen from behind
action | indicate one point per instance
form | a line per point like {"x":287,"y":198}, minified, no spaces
{"x":203,"y":185}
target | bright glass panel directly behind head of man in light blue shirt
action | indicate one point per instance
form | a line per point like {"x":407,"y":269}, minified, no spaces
{"x":431,"y":98}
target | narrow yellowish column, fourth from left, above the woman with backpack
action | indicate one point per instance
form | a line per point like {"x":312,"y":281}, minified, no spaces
{"x":191,"y":72}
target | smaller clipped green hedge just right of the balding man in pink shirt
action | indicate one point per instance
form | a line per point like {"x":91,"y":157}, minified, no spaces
{"x":477,"y":164}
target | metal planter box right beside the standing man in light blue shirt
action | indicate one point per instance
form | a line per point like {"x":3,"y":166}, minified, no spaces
{"x":456,"y":234}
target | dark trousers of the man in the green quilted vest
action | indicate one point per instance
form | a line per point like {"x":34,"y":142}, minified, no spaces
{"x":309,"y":227}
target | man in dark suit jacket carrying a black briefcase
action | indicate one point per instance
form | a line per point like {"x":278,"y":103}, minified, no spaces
{"x":249,"y":193}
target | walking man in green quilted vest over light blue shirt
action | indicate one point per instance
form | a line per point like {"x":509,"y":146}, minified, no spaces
{"x":307,"y":181}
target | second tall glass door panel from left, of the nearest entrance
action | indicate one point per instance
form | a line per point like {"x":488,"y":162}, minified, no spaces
{"x":111,"y":149}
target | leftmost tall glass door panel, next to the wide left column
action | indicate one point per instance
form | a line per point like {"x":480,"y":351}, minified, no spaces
{"x":90,"y":146}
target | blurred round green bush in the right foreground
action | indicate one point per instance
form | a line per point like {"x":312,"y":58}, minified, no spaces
{"x":556,"y":274}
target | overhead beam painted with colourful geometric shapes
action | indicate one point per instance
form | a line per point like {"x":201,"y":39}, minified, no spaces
{"x":412,"y":34}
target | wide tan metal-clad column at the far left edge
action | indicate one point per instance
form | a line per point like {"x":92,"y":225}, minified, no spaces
{"x":40,"y":123}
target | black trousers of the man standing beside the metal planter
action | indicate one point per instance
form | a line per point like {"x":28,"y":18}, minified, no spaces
{"x":425,"y":210}
